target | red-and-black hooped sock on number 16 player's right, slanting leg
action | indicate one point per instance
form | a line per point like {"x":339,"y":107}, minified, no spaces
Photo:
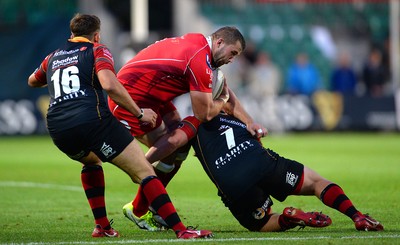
{"x":160,"y":202}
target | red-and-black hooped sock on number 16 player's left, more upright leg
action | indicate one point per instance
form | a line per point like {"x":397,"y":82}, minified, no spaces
{"x":92,"y":178}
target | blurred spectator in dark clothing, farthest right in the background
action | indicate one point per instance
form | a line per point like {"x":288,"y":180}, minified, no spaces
{"x":374,"y":74}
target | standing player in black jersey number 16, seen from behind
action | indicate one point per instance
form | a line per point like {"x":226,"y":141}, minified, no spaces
{"x":82,"y":126}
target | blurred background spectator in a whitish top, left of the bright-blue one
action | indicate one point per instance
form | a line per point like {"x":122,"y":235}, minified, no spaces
{"x":264,"y":77}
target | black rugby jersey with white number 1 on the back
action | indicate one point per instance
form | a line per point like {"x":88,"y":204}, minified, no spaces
{"x":232,"y":158}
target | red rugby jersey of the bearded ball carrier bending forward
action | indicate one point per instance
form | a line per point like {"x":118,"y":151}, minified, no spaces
{"x":169,"y":68}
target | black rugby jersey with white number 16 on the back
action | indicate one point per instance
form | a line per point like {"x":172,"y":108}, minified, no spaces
{"x":76,"y":95}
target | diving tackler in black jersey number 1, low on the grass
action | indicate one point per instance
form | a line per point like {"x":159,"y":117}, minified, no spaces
{"x":247,"y":175}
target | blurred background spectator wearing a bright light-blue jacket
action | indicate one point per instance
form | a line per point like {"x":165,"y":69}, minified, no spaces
{"x":303,"y":77}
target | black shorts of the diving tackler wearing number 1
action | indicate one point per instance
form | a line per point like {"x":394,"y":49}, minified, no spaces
{"x":251,"y":210}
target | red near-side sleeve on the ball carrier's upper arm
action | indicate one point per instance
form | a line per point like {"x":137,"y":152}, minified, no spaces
{"x":201,"y":72}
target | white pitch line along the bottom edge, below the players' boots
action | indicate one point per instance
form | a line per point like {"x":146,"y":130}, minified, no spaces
{"x":212,"y":240}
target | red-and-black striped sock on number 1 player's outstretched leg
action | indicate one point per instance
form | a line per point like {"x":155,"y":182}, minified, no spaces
{"x":334,"y":197}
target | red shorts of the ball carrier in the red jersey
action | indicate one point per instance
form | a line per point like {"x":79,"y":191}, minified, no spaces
{"x":135,"y":126}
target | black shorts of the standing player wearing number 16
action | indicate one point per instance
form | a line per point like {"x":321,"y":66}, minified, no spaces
{"x":107,"y":138}
